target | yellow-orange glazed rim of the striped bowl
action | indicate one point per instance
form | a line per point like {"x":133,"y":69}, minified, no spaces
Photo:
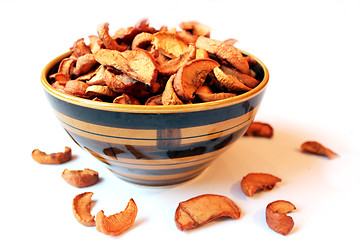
{"x":150,"y":108}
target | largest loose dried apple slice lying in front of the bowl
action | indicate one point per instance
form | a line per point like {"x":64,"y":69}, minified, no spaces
{"x":202,"y":209}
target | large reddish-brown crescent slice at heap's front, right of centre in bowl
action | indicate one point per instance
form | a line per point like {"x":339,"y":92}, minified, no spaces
{"x":191,"y":76}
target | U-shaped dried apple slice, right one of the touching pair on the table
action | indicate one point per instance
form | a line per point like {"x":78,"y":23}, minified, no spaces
{"x":117,"y":223}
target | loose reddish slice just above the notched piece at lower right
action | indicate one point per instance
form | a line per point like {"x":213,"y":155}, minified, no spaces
{"x":254,"y":182}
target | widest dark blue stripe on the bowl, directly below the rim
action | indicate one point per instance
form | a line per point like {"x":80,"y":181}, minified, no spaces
{"x":153,"y":120}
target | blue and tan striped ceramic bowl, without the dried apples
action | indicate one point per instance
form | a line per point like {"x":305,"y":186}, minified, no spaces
{"x":155,"y":145}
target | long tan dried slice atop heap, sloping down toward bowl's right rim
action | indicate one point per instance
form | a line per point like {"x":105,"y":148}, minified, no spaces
{"x":224,"y":51}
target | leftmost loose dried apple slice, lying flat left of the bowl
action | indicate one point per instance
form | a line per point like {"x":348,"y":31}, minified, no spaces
{"x":53,"y":158}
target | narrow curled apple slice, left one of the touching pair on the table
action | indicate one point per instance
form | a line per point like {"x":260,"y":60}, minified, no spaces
{"x":81,"y":209}
